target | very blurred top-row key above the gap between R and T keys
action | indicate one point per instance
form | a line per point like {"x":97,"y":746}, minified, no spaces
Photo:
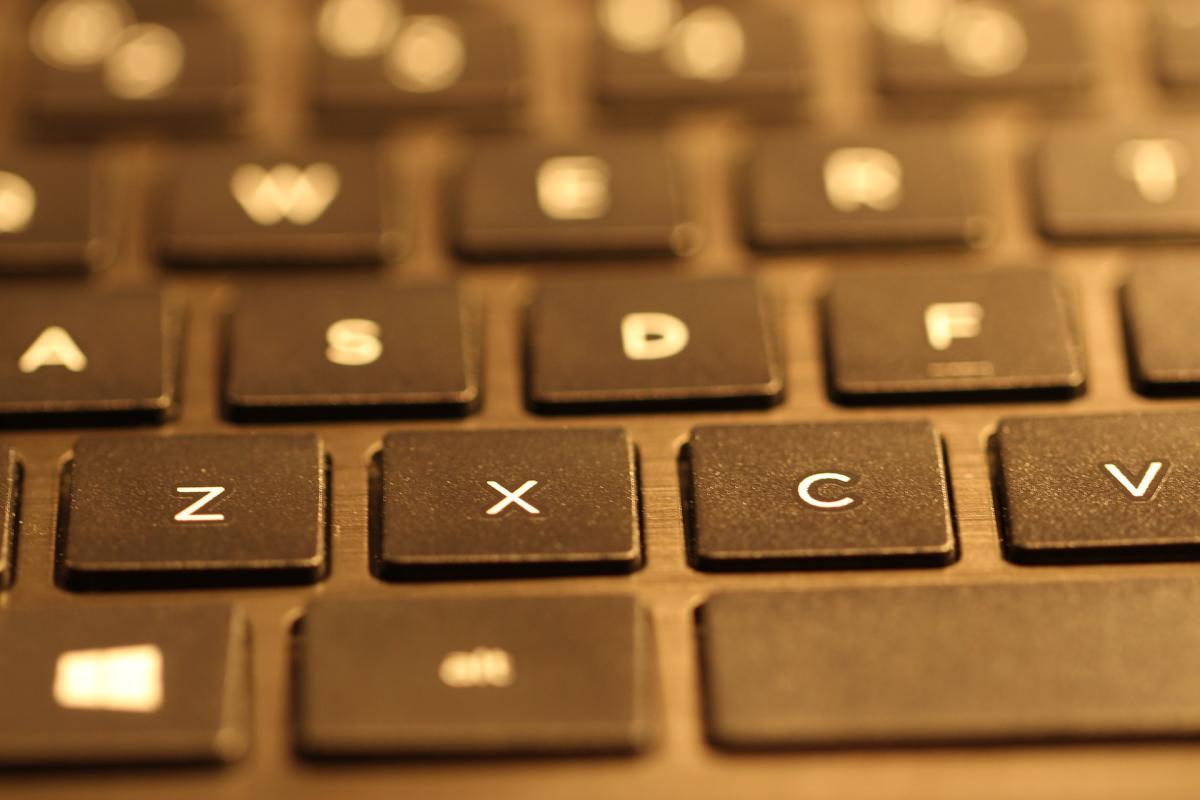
{"x":970,"y":46}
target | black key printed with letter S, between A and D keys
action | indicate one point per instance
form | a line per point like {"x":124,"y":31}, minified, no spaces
{"x":352,"y":351}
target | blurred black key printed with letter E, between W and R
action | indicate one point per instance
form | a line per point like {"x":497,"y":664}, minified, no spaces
{"x":609,"y":197}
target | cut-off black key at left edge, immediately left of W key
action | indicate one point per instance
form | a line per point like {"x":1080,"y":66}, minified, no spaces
{"x":47,"y":214}
